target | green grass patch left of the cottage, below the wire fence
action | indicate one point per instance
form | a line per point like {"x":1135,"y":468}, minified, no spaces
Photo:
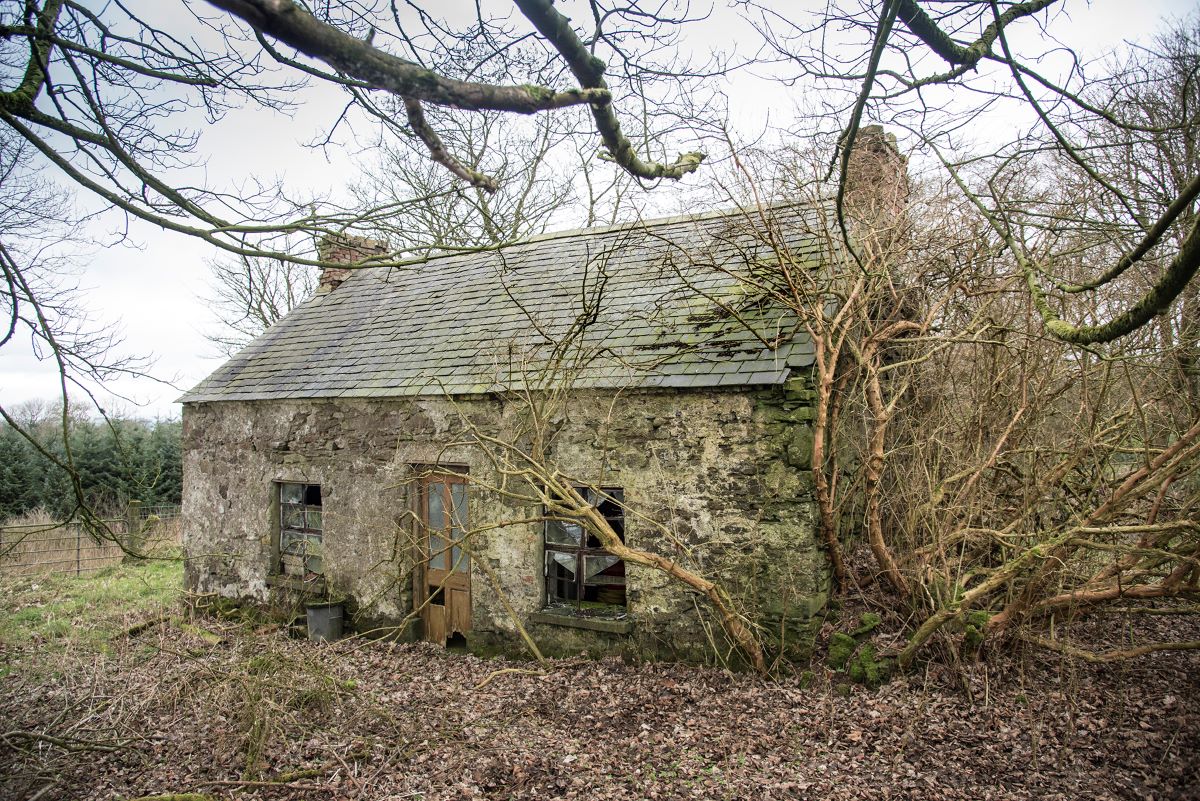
{"x":62,"y":612}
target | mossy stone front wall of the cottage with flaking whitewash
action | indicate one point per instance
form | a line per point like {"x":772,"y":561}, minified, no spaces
{"x":727,"y":473}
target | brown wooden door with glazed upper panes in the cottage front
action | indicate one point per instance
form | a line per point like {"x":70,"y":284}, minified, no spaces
{"x":447,"y":574}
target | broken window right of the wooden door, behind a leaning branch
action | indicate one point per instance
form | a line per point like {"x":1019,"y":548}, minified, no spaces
{"x":580,"y":574}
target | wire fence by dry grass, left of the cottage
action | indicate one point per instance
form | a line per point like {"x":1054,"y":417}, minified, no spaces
{"x":40,"y":549}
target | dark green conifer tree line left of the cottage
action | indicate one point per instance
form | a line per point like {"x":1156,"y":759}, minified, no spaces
{"x":118,"y":460}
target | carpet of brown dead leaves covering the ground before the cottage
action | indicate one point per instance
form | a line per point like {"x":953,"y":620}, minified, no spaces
{"x":260,"y":716}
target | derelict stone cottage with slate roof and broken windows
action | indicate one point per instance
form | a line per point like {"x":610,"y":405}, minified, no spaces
{"x":358,"y":448}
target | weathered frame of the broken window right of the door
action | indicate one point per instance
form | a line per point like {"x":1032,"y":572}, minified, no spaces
{"x":581,"y":552}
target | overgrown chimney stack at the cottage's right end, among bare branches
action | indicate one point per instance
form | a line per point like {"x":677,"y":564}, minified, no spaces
{"x":878,"y":180}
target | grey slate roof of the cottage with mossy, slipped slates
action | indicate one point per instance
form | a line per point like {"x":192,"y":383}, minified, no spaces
{"x":658,"y":304}
